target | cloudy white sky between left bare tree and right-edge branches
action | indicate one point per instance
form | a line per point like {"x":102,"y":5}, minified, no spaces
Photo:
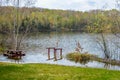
{"x":77,"y":5}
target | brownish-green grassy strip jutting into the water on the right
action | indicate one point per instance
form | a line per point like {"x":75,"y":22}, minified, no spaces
{"x":83,"y":58}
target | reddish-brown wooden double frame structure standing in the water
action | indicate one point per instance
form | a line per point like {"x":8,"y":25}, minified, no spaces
{"x":55,"y":53}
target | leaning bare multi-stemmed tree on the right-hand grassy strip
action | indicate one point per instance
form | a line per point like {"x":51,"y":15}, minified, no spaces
{"x":102,"y":39}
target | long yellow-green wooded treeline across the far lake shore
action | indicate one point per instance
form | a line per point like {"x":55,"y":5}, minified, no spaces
{"x":39,"y":19}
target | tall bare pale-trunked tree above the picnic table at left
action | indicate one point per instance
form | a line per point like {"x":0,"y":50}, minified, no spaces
{"x":22,"y":36}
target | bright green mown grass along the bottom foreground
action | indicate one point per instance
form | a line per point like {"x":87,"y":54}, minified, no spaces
{"x":10,"y":71}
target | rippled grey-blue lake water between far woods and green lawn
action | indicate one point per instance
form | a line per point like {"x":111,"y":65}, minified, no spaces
{"x":35,"y":48}
